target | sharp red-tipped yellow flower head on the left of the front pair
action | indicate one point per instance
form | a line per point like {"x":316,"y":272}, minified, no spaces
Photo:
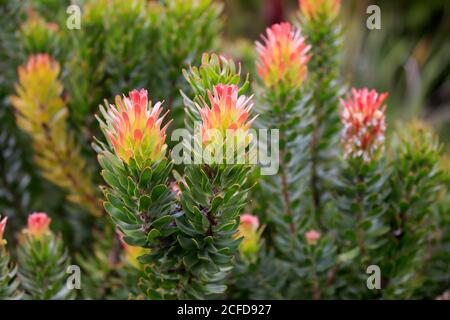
{"x":134,"y":128}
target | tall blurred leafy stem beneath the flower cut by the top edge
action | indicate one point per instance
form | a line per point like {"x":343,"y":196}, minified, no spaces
{"x":324,"y":34}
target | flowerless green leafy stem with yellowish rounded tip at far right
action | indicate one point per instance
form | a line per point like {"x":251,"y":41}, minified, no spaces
{"x":415,"y":185}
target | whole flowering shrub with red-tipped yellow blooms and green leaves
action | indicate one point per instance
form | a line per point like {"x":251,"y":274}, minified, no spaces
{"x":349,"y":191}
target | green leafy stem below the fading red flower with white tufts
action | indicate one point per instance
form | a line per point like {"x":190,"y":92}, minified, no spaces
{"x":361,"y":190}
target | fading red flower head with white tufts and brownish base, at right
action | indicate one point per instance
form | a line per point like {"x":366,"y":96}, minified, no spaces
{"x":364,"y":124}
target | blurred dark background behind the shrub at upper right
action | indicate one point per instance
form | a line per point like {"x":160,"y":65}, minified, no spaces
{"x":409,"y":57}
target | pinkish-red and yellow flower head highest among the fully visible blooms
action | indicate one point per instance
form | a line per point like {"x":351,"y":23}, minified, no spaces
{"x":283,"y":56}
